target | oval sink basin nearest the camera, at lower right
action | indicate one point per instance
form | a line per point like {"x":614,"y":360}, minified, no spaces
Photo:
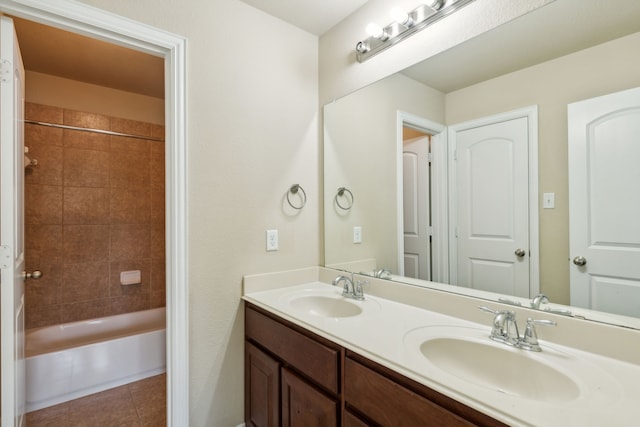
{"x":507,"y":370}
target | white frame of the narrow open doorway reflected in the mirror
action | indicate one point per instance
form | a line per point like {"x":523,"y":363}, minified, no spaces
{"x":439,"y":194}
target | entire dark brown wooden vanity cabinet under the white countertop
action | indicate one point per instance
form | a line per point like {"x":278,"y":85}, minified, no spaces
{"x":296,"y":378}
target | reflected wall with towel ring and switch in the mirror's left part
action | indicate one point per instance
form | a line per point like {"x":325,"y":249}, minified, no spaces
{"x":363,"y":157}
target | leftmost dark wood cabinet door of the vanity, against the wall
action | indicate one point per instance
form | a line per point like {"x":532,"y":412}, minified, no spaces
{"x":262,"y":405}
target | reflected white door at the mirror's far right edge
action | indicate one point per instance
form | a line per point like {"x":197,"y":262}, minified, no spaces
{"x":604,"y":203}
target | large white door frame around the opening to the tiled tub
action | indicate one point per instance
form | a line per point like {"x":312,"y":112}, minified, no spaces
{"x":93,"y":22}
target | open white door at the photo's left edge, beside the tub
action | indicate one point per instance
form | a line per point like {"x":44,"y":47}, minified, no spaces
{"x":11,"y":225}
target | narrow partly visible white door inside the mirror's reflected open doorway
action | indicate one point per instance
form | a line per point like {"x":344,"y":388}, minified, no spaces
{"x":415,"y":169}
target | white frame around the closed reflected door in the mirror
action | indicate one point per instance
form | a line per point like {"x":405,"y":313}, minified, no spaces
{"x":531,"y":113}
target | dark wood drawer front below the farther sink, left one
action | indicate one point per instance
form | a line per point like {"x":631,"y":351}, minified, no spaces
{"x":308,"y":356}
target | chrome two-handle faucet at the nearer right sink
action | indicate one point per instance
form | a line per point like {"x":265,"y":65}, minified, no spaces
{"x":505,"y":330}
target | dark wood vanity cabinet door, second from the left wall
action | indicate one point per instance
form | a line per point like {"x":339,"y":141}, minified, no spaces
{"x":304,"y":406}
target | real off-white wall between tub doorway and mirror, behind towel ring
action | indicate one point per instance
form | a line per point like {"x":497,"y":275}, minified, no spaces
{"x":252,"y":108}
